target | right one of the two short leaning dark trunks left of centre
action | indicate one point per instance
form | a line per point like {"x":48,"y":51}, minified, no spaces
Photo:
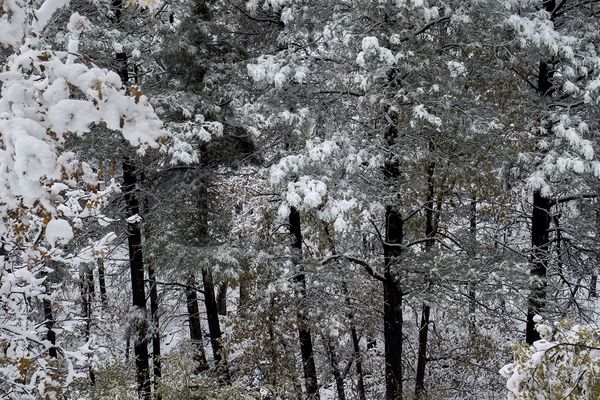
{"x":214,"y":327}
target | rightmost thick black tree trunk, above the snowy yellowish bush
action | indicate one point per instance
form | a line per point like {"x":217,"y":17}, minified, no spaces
{"x":540,"y":224}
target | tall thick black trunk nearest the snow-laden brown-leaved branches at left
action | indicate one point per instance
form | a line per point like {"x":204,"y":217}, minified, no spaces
{"x":136,"y":261}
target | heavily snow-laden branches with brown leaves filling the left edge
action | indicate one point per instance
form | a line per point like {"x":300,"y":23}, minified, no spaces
{"x":47,"y":97}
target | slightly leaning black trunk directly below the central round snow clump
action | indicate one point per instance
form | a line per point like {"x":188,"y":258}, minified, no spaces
{"x":304,"y":333}
